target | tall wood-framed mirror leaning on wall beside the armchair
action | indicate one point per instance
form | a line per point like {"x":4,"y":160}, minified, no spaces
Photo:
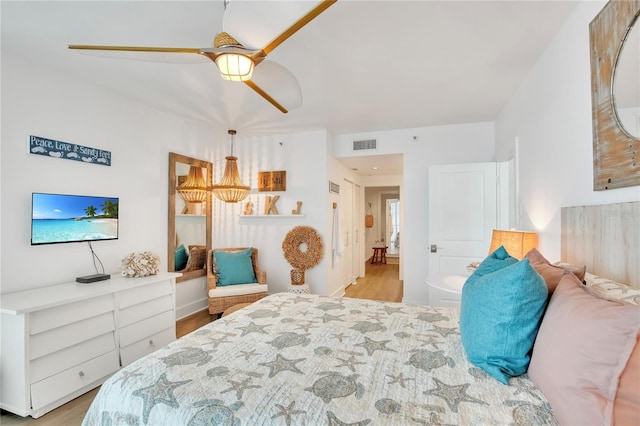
{"x":189,"y":219}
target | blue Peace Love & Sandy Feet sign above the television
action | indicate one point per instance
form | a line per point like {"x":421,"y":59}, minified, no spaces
{"x":68,"y":151}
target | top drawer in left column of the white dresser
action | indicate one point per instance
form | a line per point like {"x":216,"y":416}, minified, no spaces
{"x":51,"y":318}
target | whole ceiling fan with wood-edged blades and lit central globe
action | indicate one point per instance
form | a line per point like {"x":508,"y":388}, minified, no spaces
{"x":236,"y":61}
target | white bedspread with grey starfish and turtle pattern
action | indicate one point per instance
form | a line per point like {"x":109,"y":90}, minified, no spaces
{"x":308,"y":360}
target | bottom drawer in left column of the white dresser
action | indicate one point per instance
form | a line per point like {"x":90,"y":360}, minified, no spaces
{"x":55,"y":387}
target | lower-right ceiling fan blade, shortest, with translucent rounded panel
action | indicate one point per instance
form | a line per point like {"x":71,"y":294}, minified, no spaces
{"x":277,"y":85}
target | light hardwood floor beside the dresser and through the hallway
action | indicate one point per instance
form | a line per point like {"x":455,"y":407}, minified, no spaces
{"x":380,"y":283}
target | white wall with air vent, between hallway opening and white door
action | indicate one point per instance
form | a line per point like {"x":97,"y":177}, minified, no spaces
{"x":464,"y":143}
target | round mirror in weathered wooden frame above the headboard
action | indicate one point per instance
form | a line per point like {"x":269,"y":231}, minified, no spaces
{"x":615,"y":95}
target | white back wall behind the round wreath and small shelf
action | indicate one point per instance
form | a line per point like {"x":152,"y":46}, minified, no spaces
{"x":304,"y":157}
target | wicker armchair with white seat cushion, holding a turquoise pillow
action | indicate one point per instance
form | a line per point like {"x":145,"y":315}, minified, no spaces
{"x":223,"y":297}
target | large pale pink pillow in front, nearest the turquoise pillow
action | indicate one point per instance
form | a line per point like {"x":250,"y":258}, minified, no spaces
{"x":581,"y":350}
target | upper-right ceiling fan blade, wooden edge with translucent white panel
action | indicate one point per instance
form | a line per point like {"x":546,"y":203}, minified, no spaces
{"x":259,"y":24}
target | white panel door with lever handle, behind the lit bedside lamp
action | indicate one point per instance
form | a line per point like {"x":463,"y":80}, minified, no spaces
{"x":462,"y":215}
